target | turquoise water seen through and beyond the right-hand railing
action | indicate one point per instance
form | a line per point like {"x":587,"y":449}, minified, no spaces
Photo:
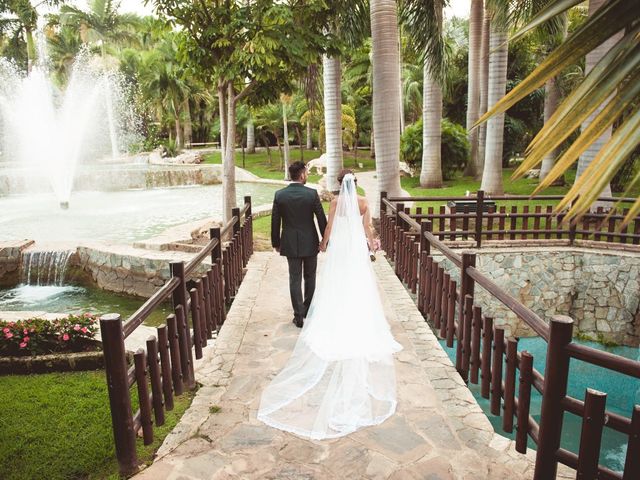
{"x":622,"y":393}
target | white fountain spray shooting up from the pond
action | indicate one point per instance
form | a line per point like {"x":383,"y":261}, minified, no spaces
{"x":46,"y":132}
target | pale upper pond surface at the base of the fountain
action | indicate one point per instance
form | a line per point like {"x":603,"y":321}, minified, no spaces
{"x":122,"y":217}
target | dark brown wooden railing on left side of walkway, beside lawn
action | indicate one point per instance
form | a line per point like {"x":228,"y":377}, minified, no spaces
{"x":167,"y":364}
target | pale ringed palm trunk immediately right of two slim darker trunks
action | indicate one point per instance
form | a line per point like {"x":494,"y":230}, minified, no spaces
{"x":492,"y":173}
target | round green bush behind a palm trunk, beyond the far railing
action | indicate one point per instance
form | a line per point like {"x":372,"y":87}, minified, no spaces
{"x":454,"y":149}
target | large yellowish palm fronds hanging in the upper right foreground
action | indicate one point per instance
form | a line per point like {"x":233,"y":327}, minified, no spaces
{"x":614,"y":81}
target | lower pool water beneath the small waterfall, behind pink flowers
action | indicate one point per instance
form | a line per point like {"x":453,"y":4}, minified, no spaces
{"x":78,"y":300}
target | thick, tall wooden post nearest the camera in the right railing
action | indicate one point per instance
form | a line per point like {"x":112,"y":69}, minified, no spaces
{"x":556,"y":373}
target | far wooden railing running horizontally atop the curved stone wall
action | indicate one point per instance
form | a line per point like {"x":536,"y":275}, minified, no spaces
{"x":482,"y":218}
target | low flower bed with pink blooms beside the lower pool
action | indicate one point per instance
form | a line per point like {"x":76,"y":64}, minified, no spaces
{"x":37,"y":336}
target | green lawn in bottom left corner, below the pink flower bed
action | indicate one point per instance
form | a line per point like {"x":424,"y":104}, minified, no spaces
{"x":58,"y":426}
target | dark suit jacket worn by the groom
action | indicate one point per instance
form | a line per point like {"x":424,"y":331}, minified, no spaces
{"x":294,"y":208}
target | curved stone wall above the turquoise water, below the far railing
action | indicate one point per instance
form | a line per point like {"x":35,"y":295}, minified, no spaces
{"x":600,"y":290}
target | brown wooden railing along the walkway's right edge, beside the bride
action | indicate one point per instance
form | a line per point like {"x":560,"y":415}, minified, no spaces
{"x":481,"y":347}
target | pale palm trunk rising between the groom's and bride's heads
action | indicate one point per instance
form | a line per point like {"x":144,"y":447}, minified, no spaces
{"x":332,"y":120}
